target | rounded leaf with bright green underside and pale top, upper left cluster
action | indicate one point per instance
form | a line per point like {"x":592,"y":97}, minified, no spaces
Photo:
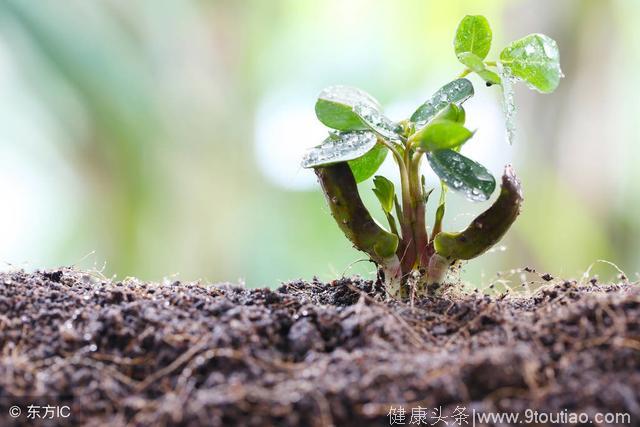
{"x":335,"y":105}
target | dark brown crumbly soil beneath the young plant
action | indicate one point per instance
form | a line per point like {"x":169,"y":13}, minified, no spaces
{"x":310,"y":353}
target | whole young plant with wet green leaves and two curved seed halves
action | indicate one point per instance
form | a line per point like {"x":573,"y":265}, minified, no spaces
{"x":411,"y":257}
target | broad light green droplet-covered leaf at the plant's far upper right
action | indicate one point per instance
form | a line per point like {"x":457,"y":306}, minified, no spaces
{"x":535,"y":60}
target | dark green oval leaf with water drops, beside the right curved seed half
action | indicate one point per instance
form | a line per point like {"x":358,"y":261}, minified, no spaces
{"x":462,"y":174}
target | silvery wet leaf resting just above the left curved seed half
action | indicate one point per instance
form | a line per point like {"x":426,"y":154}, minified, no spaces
{"x":340,"y":147}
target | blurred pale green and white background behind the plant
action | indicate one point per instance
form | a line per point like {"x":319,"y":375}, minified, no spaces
{"x":163,"y":139}
